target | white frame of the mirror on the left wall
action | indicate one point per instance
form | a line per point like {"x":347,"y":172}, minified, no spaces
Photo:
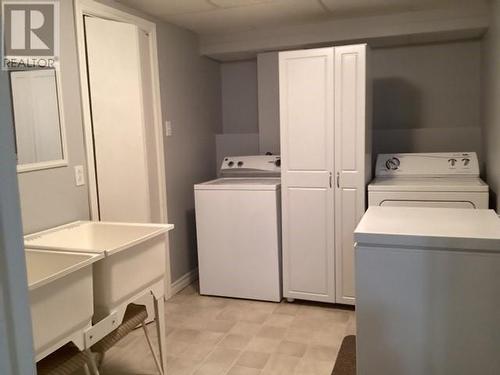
{"x":63,"y":162}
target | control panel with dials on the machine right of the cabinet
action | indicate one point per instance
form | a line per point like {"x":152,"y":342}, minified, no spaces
{"x":442,"y":164}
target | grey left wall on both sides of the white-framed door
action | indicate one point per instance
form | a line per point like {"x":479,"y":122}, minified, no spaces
{"x":190,"y":94}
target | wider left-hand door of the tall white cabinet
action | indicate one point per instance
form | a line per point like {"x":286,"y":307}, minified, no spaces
{"x":306,"y":118}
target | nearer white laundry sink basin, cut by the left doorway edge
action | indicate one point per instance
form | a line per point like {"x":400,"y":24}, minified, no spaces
{"x":61,"y":297}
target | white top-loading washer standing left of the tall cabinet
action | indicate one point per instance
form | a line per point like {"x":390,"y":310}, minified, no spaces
{"x":238,"y":220}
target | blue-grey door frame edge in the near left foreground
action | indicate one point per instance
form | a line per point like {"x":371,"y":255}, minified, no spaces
{"x":16,"y":344}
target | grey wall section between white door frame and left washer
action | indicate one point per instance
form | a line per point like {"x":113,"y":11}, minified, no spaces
{"x":190,"y":89}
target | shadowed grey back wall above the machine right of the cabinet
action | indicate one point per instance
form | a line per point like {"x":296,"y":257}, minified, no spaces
{"x":427,"y":98}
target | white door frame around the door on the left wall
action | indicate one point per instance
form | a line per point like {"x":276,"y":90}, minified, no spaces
{"x":96,"y":9}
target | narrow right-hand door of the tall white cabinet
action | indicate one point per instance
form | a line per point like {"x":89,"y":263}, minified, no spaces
{"x":350,"y":159}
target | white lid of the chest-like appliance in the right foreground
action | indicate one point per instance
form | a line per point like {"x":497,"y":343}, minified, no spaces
{"x":451,"y":229}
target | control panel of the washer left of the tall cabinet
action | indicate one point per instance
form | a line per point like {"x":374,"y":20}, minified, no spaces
{"x":258,"y":165}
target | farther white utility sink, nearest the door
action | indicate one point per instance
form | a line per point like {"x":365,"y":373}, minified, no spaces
{"x":134,"y":256}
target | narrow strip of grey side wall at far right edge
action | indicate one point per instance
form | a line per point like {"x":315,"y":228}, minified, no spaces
{"x":491,"y":100}
